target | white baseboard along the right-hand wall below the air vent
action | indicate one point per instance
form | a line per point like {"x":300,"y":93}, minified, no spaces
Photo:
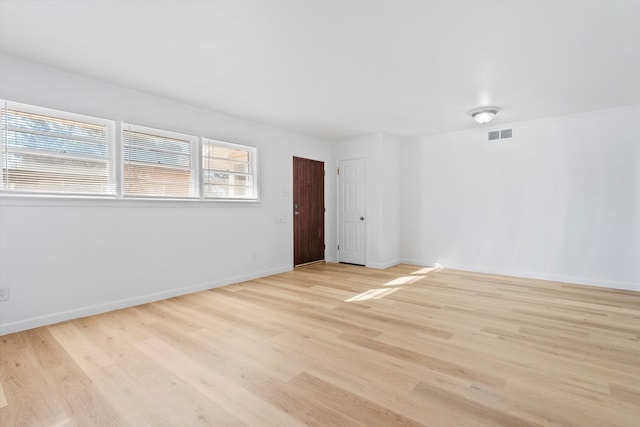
{"x":613,"y":284}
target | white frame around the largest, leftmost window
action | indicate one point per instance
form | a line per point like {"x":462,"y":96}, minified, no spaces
{"x":110,"y":160}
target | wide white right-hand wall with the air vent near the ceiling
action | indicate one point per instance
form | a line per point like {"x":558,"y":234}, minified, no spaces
{"x":560,"y":201}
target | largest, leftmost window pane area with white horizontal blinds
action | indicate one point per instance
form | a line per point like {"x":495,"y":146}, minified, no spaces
{"x":49,"y":151}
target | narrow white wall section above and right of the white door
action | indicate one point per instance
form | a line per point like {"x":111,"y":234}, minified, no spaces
{"x":381,"y":154}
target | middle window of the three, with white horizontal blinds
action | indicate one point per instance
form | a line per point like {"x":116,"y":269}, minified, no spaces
{"x":158,"y":163}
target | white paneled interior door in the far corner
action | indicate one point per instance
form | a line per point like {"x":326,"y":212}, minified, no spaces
{"x":351,"y":208}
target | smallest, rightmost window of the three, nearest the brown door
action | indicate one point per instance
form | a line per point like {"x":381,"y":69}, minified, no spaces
{"x":228,"y":171}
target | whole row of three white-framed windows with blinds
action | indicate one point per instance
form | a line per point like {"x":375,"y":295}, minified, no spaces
{"x":45,"y":151}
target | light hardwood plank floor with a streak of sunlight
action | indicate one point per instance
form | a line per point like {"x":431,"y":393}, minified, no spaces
{"x":332,"y":344}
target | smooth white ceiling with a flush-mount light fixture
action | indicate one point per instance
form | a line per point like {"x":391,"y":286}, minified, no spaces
{"x":336,"y":68}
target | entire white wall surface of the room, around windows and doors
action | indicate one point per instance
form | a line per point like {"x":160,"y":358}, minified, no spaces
{"x":561,"y":200}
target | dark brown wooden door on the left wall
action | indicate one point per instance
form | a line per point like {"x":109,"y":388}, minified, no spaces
{"x":308,"y":211}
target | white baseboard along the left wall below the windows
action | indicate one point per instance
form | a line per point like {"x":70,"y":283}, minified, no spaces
{"x":50,"y":319}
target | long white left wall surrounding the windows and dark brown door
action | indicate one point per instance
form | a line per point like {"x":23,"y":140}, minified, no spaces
{"x":64,"y":258}
